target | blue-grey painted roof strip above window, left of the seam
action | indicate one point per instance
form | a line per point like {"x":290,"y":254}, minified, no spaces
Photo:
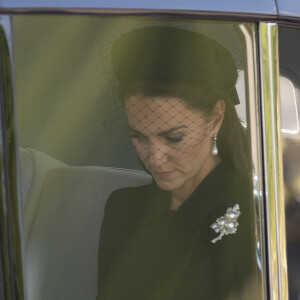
{"x":267,"y":7}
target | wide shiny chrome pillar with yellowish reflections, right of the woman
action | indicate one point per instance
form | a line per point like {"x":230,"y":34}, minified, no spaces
{"x":268,"y":42}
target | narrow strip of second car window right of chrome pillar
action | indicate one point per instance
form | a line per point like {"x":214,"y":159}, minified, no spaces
{"x":289,"y":48}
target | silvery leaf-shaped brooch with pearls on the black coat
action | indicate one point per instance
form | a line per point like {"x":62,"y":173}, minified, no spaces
{"x":227,"y":224}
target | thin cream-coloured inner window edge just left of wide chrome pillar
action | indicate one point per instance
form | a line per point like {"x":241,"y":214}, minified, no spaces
{"x":254,"y":124}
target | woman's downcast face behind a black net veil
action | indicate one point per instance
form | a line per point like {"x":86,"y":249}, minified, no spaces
{"x":173,"y":141}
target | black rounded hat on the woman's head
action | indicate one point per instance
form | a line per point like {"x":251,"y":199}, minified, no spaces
{"x":173,"y":55}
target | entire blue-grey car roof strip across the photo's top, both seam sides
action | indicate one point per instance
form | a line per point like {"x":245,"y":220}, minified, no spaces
{"x":267,"y":8}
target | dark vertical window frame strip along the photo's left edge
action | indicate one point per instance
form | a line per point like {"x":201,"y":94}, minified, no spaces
{"x":10,"y":208}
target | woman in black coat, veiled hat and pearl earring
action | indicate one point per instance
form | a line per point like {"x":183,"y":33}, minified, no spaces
{"x":158,"y":241}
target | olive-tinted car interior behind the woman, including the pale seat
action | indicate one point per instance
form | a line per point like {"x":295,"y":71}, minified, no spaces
{"x":73,"y":144}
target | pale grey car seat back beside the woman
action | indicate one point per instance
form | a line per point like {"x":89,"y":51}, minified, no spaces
{"x":63,"y":210}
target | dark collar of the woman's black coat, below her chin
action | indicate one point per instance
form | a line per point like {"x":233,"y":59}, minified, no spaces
{"x":210,"y":196}
